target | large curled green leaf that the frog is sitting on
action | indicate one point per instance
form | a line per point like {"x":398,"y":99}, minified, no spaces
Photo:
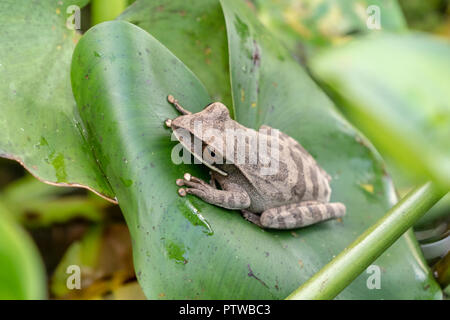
{"x":186,"y":248}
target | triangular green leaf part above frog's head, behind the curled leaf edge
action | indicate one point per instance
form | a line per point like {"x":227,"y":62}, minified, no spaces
{"x":194,"y":32}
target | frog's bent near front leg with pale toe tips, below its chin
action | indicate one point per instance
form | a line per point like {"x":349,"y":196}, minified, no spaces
{"x":235,"y":198}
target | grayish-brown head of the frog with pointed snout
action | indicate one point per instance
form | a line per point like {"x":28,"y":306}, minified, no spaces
{"x":203,"y":133}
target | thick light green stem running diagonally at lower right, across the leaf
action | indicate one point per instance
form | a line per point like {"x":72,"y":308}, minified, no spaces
{"x":352,"y":261}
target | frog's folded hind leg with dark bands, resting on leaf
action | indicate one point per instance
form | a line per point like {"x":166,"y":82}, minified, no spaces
{"x":301,"y":214}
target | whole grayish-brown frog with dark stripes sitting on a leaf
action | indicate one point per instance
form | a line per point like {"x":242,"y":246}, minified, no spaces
{"x":297,"y":194}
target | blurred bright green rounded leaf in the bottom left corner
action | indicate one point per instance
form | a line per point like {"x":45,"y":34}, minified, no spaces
{"x":22,"y":274}
